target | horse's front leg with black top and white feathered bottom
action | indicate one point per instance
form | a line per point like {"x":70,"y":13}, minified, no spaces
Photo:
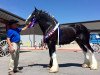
{"x":53,"y":59}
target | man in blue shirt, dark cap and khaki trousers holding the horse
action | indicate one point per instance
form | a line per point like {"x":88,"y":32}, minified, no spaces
{"x":13,"y":39}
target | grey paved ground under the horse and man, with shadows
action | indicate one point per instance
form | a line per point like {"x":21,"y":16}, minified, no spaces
{"x":35,"y":63}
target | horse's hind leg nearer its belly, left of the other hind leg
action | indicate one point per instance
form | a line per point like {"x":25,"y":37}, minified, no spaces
{"x":86,"y":63}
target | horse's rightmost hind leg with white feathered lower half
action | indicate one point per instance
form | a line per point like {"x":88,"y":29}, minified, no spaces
{"x":93,"y":61}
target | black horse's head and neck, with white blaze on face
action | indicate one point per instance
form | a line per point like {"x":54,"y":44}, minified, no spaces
{"x":44,"y":20}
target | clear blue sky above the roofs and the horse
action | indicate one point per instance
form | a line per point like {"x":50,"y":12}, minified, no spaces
{"x":65,"y":11}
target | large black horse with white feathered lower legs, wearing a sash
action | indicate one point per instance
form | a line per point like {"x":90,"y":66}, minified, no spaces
{"x":68,"y":33}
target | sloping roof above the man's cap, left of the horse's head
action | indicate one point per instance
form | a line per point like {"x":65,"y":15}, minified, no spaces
{"x":5,"y":16}
